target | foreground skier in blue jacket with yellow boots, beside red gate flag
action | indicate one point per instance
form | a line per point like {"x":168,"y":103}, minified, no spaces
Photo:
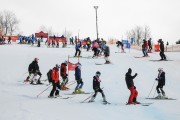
{"x":78,"y":79}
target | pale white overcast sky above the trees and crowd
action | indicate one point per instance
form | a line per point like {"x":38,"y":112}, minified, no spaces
{"x":115,"y":17}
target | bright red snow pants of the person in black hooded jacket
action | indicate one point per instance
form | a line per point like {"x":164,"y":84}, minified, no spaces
{"x":133,"y":95}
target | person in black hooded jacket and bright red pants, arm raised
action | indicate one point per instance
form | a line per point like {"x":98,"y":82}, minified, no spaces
{"x":131,"y":87}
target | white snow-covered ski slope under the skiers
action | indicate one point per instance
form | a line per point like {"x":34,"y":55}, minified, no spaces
{"x":19,"y":102}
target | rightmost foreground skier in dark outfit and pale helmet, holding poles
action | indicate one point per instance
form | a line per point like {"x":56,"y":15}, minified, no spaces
{"x":161,"y":83}
